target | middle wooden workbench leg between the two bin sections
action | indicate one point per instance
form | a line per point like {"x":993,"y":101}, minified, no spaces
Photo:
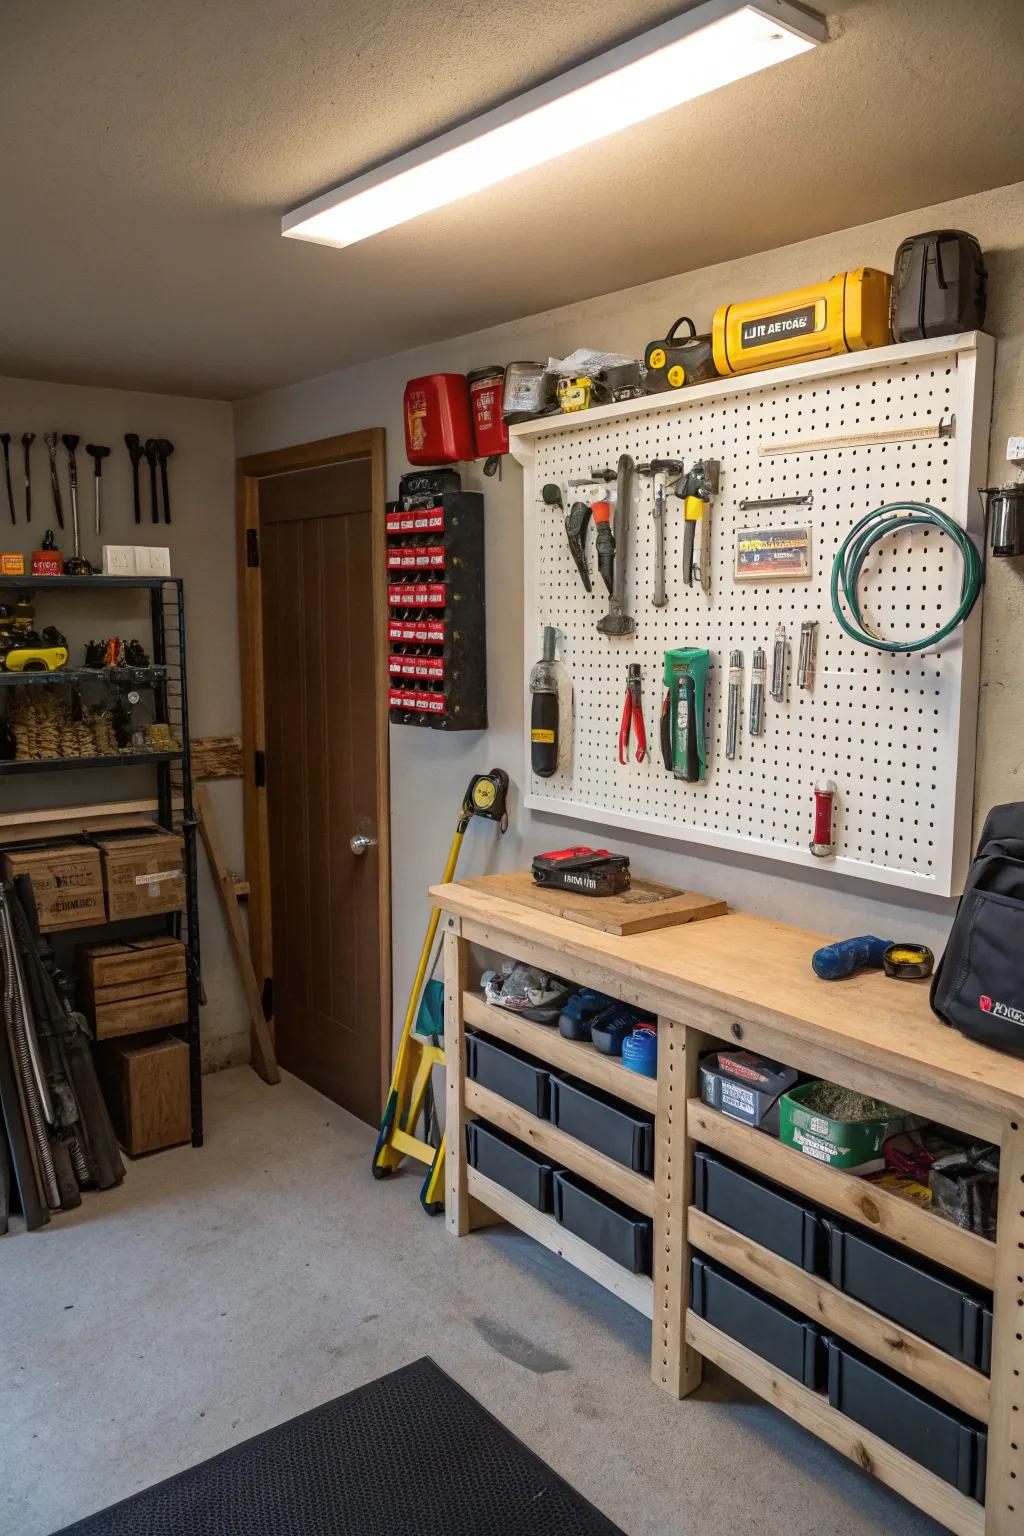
{"x":675,"y":1365}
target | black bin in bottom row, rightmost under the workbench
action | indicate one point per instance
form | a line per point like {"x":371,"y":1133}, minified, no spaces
{"x":914,"y":1422}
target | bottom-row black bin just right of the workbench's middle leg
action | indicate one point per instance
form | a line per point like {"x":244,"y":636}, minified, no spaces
{"x":748,"y":1316}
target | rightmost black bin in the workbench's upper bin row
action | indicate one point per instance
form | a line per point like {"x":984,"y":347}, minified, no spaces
{"x":920,"y":1297}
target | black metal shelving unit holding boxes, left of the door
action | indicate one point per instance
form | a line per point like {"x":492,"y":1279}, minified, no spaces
{"x":165,"y":681}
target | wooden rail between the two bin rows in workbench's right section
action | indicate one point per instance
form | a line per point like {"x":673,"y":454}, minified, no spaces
{"x":856,"y":1323}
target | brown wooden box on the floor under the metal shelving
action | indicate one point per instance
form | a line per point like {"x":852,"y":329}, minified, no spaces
{"x":147,"y":1090}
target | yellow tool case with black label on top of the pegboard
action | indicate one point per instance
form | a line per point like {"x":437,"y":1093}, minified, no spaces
{"x":844,"y":314}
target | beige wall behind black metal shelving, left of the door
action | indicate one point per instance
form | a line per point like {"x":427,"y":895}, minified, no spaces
{"x":202,"y":540}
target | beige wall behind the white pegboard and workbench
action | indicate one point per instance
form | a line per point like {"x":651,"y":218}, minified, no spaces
{"x":431,"y":773}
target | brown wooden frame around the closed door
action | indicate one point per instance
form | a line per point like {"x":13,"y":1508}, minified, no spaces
{"x":369,"y":445}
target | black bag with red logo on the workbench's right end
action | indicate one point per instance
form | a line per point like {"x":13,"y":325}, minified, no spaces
{"x":979,"y":985}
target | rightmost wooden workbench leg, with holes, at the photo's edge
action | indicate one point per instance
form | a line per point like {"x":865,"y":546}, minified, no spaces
{"x":1005,"y":1494}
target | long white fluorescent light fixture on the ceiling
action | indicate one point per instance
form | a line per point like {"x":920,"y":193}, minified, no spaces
{"x":707,"y":47}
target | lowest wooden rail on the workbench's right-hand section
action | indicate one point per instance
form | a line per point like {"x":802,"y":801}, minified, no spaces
{"x":940,"y":1500}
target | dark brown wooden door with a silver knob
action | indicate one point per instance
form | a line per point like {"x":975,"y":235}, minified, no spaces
{"x":322,"y":695}
